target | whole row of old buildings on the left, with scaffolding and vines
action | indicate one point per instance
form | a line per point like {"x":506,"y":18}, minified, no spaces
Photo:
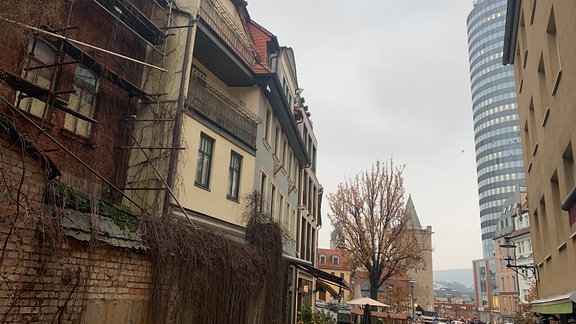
{"x":157,"y":163}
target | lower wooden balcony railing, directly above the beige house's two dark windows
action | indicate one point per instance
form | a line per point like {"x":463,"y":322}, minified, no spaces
{"x":215,"y":104}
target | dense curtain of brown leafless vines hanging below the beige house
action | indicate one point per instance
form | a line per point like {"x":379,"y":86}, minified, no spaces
{"x":199,"y":276}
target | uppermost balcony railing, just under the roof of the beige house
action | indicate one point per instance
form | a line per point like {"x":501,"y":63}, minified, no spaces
{"x":218,"y":18}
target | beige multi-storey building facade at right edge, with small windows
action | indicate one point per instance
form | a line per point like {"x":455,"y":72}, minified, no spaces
{"x":543,"y":52}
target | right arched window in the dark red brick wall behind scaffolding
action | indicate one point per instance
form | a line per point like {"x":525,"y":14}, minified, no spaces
{"x":82,"y":101}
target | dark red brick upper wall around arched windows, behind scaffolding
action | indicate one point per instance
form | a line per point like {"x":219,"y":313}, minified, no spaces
{"x":100,"y":150}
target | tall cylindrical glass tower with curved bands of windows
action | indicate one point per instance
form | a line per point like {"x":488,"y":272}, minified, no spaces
{"x":496,"y":127}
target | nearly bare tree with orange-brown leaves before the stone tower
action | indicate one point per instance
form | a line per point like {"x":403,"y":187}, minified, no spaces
{"x":367,"y":212}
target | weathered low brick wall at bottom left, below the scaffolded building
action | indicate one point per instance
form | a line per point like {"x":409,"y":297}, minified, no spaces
{"x":48,"y":277}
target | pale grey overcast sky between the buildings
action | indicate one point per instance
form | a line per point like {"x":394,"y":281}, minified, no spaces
{"x":390,"y":79}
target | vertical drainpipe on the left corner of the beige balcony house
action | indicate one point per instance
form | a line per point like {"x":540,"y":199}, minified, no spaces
{"x":178,"y":119}
